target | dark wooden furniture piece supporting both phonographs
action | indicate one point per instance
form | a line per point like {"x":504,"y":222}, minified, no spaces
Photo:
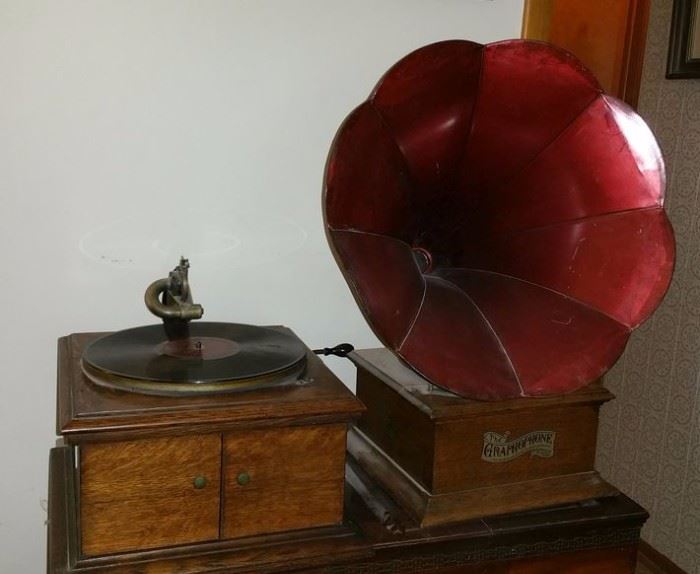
{"x":596,"y":537}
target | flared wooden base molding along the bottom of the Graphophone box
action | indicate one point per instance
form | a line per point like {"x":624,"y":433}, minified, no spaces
{"x":429,"y":509}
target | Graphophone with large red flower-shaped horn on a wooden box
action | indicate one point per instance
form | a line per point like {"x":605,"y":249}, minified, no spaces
{"x":499,"y":221}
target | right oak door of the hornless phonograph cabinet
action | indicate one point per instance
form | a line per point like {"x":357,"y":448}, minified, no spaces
{"x":282,"y":479}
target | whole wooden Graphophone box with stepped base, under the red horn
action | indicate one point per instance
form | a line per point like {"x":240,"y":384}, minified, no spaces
{"x":446,"y":458}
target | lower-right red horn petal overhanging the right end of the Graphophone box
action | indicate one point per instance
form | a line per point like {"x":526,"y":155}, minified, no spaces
{"x":544,"y":333}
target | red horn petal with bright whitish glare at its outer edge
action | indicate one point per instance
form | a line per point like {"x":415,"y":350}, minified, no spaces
{"x":606,"y":161}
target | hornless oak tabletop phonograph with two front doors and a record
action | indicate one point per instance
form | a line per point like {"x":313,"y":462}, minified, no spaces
{"x":186,"y":437}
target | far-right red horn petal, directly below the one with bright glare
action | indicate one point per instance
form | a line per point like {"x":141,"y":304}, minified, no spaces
{"x":619,"y":263}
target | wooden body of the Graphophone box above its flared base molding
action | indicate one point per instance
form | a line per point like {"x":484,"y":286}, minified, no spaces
{"x":437,"y":438}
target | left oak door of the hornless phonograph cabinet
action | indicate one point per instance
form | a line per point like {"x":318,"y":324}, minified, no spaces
{"x":149,"y":493}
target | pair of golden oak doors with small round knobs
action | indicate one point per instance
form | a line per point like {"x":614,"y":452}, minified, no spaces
{"x":148,"y":493}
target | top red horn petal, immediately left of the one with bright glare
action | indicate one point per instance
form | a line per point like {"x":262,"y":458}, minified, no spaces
{"x":529,"y":93}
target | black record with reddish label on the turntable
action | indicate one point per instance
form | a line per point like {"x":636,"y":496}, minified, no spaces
{"x":217,"y":357}
